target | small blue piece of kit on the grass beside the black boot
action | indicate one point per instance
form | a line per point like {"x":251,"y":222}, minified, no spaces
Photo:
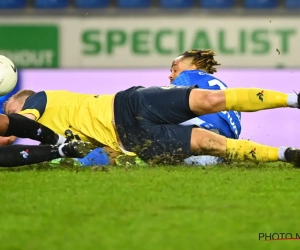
{"x":96,"y":157}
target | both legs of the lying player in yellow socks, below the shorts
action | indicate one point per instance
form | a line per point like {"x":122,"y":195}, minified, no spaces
{"x":240,"y":99}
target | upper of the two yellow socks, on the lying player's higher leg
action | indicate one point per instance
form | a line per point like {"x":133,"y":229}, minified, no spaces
{"x":253,"y":99}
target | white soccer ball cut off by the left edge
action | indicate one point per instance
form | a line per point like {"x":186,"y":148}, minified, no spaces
{"x":8,"y":75}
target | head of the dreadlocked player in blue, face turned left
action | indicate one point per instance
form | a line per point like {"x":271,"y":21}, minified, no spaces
{"x":194,"y":59}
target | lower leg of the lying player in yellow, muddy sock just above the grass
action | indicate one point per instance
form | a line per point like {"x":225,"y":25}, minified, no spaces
{"x":204,"y":142}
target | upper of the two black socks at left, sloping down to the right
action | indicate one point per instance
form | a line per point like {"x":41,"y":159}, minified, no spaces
{"x":21,"y":126}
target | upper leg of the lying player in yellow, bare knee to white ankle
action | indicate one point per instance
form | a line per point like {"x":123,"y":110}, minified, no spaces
{"x":239,"y":99}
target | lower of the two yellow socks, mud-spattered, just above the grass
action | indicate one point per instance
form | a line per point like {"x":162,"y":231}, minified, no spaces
{"x":247,"y":150}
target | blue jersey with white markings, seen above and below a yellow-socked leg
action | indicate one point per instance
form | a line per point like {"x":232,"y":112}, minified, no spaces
{"x":228,"y":123}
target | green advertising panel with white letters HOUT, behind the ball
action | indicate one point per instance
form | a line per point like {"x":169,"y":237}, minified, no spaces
{"x":31,"y":46}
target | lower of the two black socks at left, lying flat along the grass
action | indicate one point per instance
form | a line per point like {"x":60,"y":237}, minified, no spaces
{"x":19,"y":155}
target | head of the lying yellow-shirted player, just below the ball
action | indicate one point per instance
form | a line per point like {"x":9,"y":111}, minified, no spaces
{"x":16,"y":102}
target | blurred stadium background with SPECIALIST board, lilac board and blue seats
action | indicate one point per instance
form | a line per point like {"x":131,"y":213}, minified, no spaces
{"x":101,"y":46}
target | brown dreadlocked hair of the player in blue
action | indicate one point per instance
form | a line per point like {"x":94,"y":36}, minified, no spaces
{"x":202,"y":59}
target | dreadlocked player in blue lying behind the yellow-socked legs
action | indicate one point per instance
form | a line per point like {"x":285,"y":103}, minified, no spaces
{"x":186,"y":71}
